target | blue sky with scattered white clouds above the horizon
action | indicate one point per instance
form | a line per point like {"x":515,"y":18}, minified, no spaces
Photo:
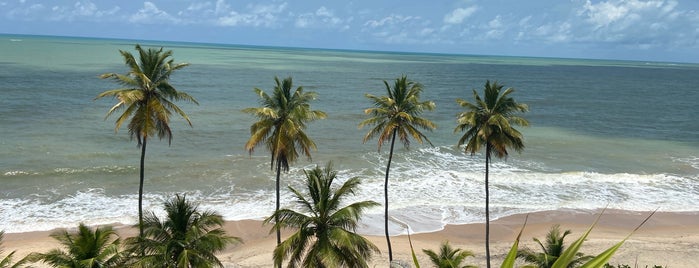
{"x":646,"y":30}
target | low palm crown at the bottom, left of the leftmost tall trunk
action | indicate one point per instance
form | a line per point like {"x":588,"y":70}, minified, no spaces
{"x":85,"y":249}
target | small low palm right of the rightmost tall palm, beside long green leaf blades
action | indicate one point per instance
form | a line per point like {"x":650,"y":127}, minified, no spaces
{"x":551,"y":250}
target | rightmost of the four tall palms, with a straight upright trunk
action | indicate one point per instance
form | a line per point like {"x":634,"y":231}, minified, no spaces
{"x":489,"y":122}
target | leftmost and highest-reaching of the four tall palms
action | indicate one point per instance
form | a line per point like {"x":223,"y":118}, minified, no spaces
{"x":146,"y":96}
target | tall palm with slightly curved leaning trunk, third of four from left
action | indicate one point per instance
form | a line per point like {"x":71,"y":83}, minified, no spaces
{"x":397,"y":114}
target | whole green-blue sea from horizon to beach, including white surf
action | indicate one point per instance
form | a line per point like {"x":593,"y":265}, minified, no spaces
{"x":620,"y":134}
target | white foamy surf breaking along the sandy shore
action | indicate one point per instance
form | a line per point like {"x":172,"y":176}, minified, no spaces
{"x":428,"y":188}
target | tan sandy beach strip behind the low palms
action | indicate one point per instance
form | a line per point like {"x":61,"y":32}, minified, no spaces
{"x":668,"y":239}
